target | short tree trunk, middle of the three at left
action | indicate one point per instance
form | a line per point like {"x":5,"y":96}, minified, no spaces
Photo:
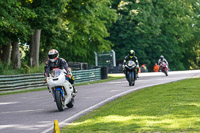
{"x":15,"y":57}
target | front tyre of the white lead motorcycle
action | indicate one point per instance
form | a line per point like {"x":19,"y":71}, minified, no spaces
{"x":59,"y":100}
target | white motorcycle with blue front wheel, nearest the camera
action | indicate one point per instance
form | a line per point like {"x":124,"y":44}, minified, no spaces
{"x":61,"y":89}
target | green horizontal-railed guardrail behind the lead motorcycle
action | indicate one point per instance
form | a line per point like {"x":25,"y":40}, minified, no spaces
{"x":30,"y":81}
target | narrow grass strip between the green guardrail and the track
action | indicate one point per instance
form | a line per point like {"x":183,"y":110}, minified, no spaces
{"x":110,"y":77}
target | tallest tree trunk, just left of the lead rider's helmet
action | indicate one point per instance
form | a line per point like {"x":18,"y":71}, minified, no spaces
{"x":35,"y":48}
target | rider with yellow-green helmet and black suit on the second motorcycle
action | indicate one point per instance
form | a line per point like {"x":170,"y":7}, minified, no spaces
{"x":131,"y":56}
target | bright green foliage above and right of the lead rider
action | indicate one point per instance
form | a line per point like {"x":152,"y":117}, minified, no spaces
{"x":87,"y":23}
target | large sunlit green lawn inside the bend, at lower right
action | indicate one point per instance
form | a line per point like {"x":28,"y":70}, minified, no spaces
{"x":173,"y":107}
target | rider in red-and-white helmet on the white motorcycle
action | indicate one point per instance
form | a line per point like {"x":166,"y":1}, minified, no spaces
{"x":55,"y":62}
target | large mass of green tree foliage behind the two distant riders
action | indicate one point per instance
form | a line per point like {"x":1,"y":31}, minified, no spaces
{"x":153,"y":28}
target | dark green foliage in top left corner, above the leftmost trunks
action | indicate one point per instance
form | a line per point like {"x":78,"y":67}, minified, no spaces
{"x":14,"y":24}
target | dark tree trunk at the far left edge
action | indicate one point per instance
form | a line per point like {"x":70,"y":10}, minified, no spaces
{"x":6,"y":53}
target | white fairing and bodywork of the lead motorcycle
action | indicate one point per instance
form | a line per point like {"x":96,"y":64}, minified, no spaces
{"x":58,"y":79}
